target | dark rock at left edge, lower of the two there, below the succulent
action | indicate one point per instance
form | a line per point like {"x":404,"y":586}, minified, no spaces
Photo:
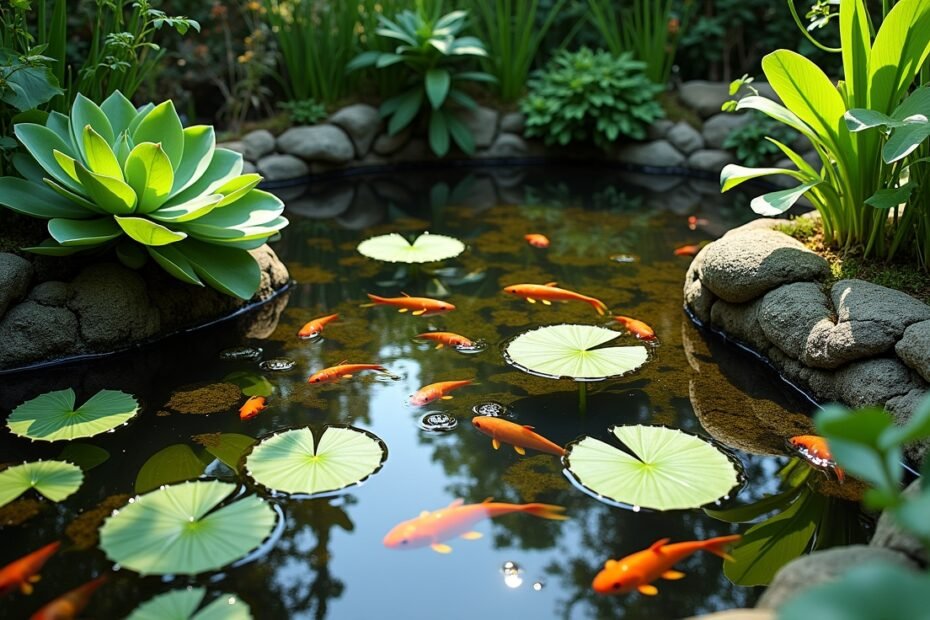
{"x":31,"y":332}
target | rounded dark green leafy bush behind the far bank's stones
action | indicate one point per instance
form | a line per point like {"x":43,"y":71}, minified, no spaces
{"x":588,"y":95}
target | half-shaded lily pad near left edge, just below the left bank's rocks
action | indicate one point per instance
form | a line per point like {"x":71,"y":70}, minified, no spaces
{"x":52,"y":416}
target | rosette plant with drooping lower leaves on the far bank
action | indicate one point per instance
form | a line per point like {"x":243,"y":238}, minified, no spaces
{"x":432,"y":51}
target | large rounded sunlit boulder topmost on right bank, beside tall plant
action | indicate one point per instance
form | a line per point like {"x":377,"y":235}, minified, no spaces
{"x":741,"y":267}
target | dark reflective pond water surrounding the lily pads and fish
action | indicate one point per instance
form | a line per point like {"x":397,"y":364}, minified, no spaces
{"x":328,"y":559}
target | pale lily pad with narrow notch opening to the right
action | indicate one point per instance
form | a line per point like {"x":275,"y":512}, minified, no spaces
{"x":568,"y":351}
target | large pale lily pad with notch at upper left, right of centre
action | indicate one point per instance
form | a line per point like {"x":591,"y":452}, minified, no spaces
{"x":668,"y":469}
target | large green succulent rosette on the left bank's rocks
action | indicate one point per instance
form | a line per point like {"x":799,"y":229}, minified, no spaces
{"x":138,"y":181}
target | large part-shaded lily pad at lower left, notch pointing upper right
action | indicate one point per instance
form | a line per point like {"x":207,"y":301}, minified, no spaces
{"x":180,"y":529}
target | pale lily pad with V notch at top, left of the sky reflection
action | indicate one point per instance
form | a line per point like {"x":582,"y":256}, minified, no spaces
{"x":290,"y":462}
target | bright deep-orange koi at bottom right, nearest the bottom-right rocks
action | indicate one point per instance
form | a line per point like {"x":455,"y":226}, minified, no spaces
{"x":639,"y":570}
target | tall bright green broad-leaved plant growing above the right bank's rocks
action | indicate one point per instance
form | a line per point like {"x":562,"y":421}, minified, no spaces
{"x":855,"y":188}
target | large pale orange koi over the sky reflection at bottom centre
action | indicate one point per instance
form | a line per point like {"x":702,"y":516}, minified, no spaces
{"x":432,"y":528}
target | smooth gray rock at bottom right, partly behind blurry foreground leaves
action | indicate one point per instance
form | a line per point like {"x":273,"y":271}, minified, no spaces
{"x":822,"y":566}
